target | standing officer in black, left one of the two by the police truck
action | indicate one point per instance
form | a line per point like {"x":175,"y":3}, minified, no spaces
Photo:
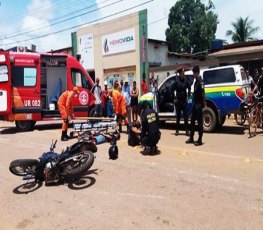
{"x":181,"y":90}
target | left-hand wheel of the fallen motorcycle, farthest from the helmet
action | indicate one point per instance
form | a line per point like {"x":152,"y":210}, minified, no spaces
{"x":23,"y":167}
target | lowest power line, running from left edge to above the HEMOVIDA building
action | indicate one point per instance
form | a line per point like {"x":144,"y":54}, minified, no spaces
{"x":74,"y":27}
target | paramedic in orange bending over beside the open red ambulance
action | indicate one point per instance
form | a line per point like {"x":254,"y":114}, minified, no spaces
{"x":66,"y":110}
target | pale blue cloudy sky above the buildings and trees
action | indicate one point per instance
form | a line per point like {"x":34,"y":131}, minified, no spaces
{"x":22,"y":21}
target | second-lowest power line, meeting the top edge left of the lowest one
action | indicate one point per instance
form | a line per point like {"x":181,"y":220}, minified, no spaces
{"x":55,"y":23}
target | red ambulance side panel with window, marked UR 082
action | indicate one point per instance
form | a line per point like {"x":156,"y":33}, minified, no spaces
{"x":26,"y":92}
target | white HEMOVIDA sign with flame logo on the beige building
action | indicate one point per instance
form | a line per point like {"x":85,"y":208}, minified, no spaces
{"x":122,"y":41}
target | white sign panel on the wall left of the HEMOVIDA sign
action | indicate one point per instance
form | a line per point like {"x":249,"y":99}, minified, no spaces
{"x":86,"y":50}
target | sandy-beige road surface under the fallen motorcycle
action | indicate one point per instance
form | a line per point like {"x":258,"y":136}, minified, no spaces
{"x":214,"y":186}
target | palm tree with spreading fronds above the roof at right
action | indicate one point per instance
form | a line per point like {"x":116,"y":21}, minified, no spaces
{"x":243,"y":30}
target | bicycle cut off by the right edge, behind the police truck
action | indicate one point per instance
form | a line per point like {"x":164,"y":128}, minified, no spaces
{"x":256,"y":116}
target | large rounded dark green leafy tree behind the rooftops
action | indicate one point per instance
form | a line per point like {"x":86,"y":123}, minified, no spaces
{"x":192,"y":26}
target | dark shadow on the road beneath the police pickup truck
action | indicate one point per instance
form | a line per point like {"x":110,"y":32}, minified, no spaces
{"x":236,"y":130}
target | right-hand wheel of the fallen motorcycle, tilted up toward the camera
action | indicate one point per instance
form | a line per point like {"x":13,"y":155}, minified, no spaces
{"x":78,"y":167}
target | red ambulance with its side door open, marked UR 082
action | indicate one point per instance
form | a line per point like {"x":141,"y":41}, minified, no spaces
{"x":31,"y":83}
